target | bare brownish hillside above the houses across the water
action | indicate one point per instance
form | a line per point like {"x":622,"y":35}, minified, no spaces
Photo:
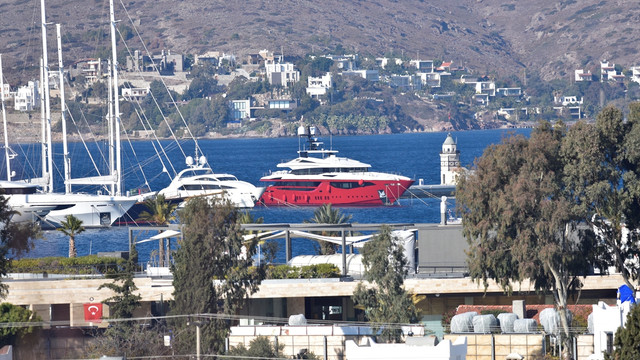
{"x":487,"y":36}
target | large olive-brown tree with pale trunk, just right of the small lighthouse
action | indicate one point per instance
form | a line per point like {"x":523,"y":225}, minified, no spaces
{"x":519,"y":219}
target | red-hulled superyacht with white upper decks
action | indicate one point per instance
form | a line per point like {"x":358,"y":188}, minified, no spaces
{"x":318,"y":176}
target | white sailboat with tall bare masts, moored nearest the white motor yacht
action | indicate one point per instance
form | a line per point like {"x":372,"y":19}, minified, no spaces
{"x":94,"y":210}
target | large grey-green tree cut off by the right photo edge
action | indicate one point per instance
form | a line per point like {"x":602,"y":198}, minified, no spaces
{"x":602,"y":172}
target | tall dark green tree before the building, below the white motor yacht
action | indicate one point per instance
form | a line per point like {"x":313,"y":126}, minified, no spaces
{"x":212,"y":271}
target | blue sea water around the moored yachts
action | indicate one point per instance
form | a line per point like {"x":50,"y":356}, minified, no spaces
{"x":415,"y":155}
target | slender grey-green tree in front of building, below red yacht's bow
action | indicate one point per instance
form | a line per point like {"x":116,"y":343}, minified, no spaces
{"x":387,"y":304}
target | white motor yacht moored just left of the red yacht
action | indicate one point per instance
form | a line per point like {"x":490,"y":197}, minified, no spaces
{"x":200,"y":180}
